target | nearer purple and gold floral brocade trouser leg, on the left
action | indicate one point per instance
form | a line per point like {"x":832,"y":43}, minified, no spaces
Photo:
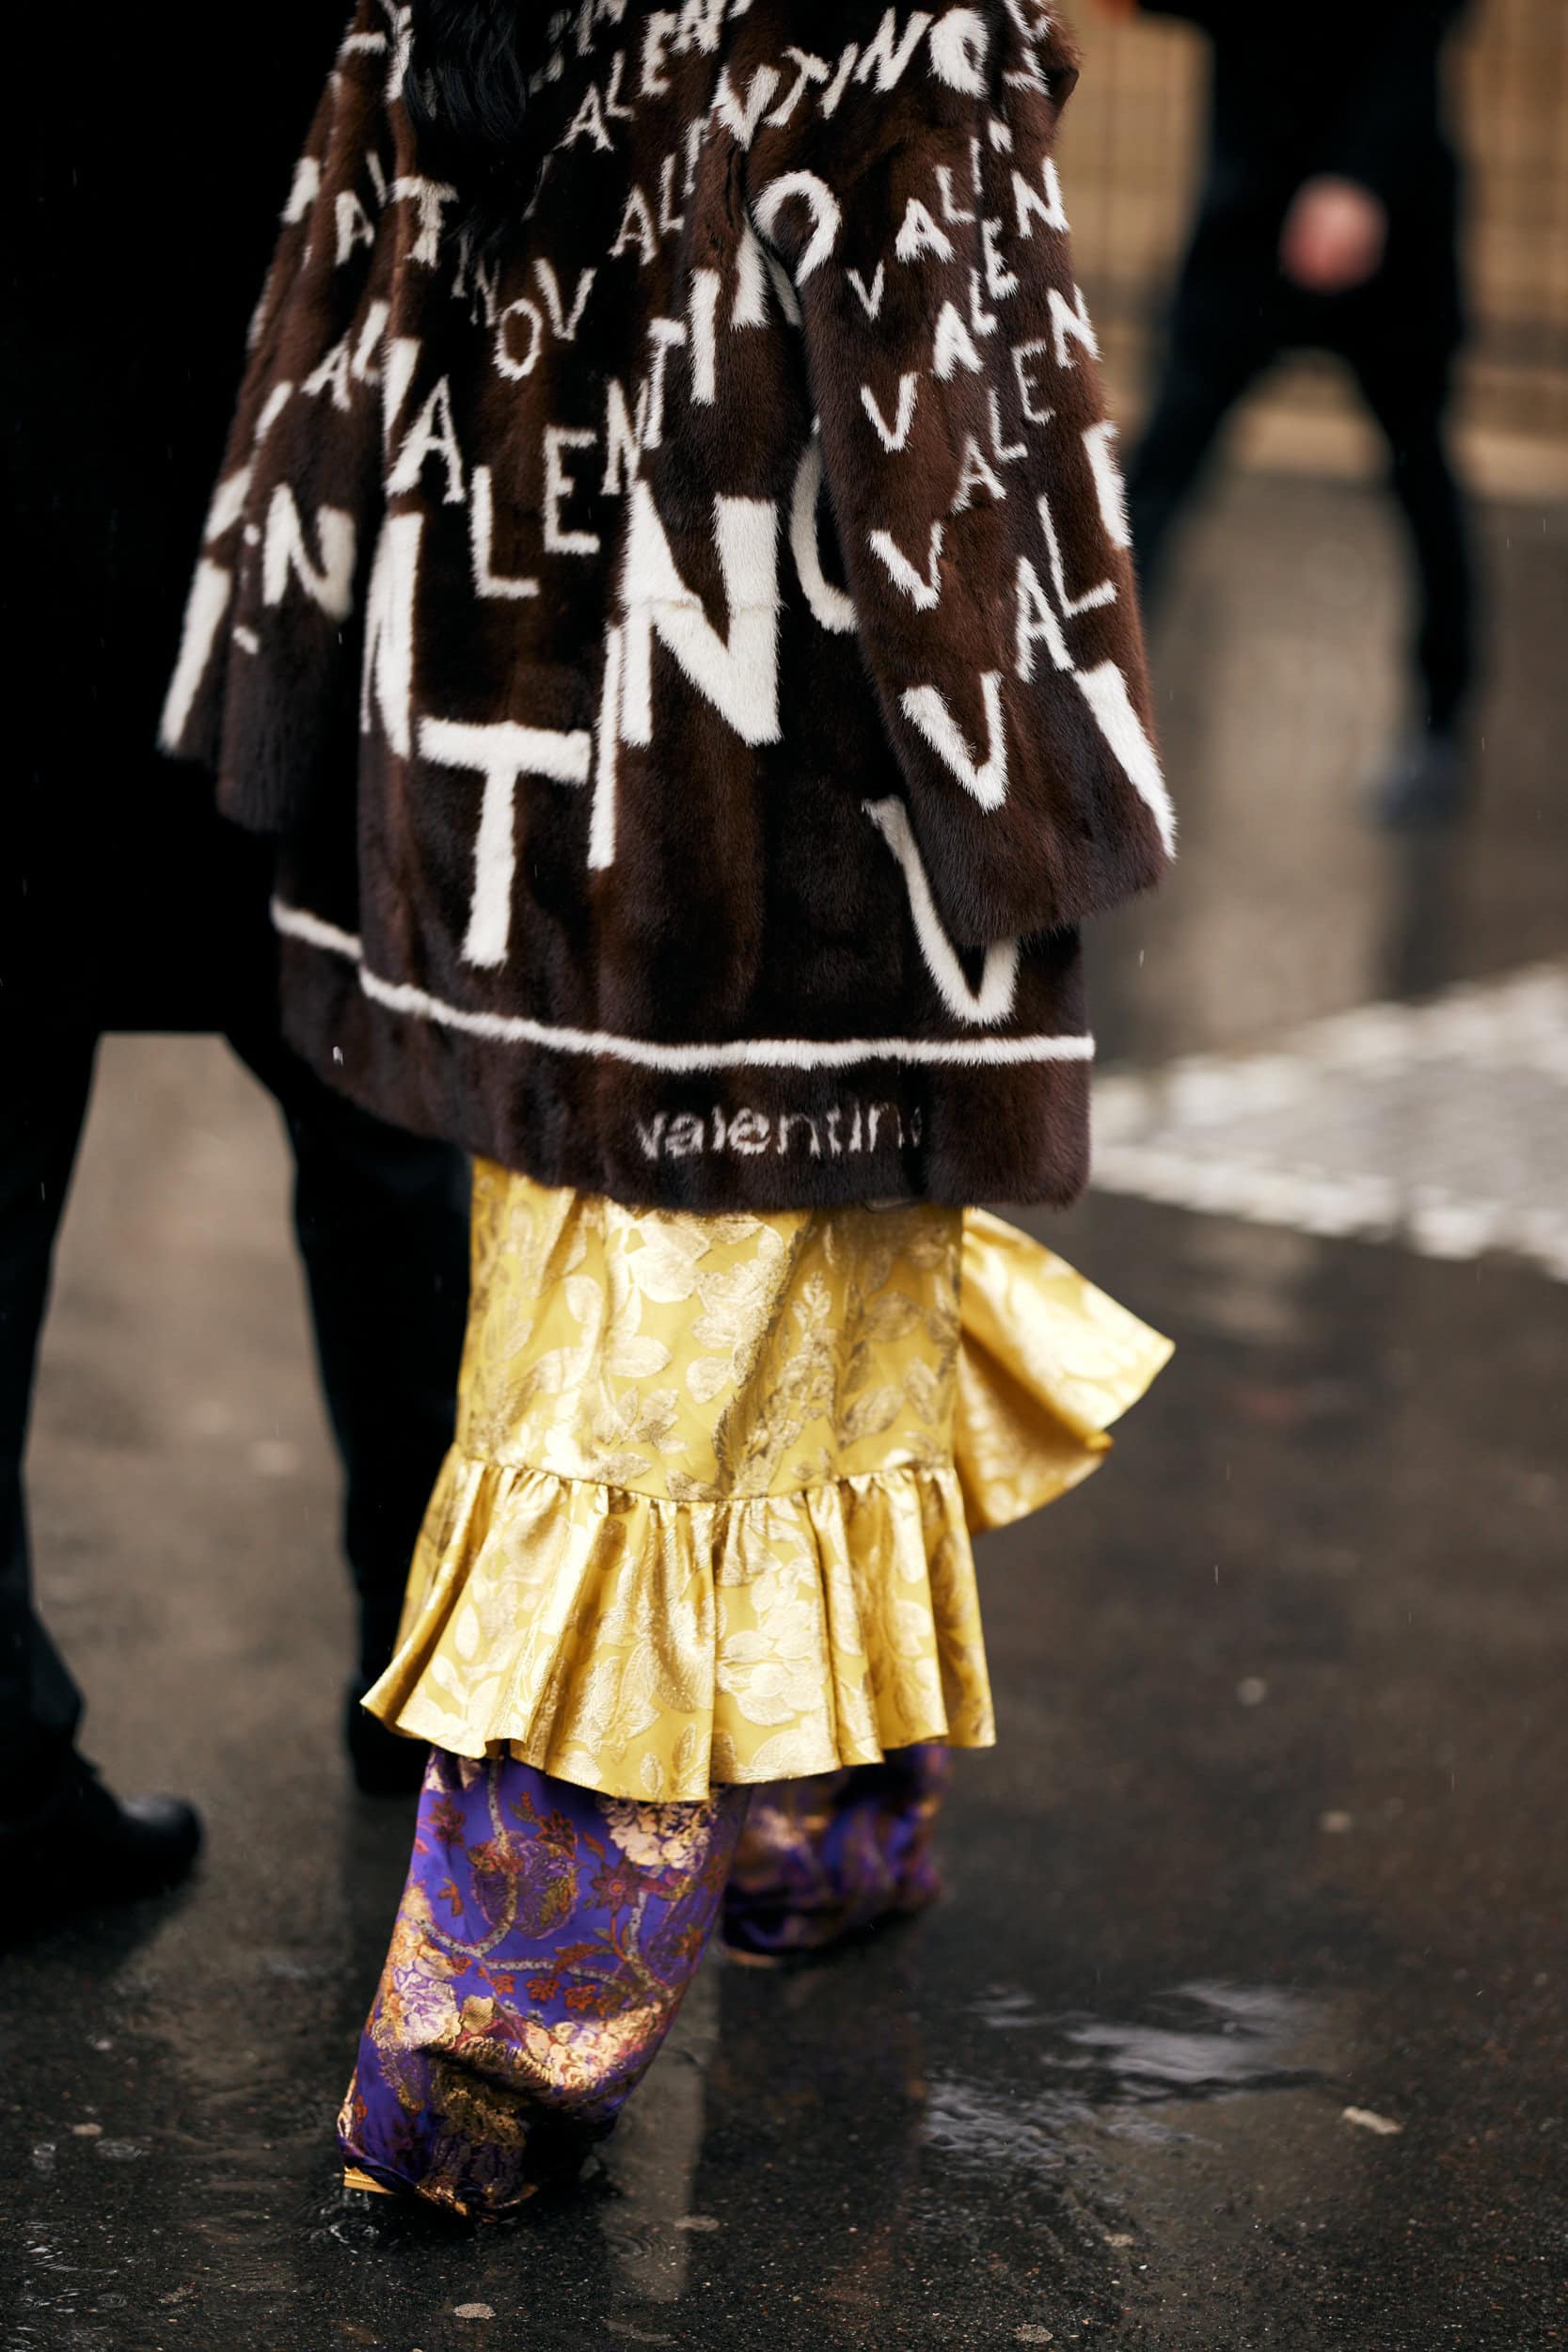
{"x":542,"y":1951}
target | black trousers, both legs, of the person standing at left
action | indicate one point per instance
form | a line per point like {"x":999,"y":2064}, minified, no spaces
{"x":382,"y":1227}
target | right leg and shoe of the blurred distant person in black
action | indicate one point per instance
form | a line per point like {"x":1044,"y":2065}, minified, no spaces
{"x":1409,"y":394}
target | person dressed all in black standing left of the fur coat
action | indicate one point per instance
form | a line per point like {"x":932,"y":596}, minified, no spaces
{"x":123,"y":900}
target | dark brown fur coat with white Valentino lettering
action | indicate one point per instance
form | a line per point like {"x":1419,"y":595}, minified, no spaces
{"x":690,"y":657}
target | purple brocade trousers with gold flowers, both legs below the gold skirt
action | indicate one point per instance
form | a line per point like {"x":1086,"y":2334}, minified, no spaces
{"x":549,"y":1935}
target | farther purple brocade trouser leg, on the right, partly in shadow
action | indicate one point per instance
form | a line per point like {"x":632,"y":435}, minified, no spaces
{"x":826,"y":1859}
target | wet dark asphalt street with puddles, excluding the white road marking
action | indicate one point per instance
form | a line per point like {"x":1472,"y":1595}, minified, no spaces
{"x":1247,"y":2022}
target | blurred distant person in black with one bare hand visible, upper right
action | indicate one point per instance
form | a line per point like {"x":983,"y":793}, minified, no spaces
{"x":1329,"y":220}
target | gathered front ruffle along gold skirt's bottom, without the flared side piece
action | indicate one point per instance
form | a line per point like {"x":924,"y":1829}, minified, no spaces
{"x":652,"y":1650}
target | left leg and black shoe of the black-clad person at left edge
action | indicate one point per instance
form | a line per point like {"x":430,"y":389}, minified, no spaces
{"x":60,"y":1831}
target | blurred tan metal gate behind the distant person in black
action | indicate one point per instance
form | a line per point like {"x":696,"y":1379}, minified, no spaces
{"x":1130,"y":161}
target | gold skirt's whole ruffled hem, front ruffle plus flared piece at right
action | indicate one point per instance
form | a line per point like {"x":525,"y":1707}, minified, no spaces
{"x":655,"y":1650}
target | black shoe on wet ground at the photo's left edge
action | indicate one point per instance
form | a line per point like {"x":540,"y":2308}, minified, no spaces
{"x":88,"y":1847}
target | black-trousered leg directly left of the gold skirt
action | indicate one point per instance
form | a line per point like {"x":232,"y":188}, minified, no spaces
{"x":382,"y":1224}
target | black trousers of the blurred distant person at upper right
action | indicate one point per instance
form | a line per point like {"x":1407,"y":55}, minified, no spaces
{"x":1224,"y":340}
